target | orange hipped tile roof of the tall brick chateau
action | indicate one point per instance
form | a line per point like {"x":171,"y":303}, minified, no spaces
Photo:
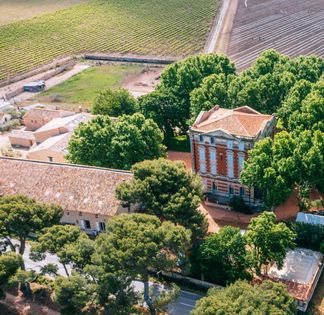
{"x":242,"y":121}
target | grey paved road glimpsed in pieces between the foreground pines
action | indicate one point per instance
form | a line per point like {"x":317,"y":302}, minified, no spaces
{"x":182,"y":306}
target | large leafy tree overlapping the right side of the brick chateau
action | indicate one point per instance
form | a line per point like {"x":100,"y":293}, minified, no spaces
{"x":276,"y":166}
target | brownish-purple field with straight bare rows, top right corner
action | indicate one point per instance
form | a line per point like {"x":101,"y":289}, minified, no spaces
{"x":293,"y":27}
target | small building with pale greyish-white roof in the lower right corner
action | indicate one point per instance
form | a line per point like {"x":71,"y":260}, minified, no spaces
{"x":301,"y":272}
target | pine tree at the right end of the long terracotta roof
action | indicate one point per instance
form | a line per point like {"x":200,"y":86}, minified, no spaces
{"x":167,"y":190}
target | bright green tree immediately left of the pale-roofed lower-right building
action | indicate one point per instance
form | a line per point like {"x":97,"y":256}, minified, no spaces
{"x":268,"y":241}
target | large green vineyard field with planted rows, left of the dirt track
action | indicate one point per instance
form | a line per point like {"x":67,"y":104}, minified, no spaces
{"x":173,"y":28}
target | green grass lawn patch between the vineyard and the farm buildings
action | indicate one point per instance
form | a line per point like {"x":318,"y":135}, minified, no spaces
{"x":83,"y":88}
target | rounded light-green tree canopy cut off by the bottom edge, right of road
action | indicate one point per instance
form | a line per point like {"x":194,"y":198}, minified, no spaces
{"x":243,"y":298}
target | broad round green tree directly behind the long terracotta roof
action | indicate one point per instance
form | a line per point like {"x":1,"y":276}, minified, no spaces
{"x":117,"y":145}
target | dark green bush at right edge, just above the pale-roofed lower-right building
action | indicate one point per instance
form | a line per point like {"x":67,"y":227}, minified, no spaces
{"x":308,"y":235}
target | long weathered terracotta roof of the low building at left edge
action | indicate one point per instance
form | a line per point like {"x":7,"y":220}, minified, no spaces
{"x":74,"y":187}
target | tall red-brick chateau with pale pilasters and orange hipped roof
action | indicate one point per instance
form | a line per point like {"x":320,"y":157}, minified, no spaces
{"x":220,"y":140}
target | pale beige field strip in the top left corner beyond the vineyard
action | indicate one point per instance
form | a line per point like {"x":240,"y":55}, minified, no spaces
{"x":14,"y":10}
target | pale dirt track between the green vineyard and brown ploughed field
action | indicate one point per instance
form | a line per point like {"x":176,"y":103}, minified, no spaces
{"x":219,"y":37}
